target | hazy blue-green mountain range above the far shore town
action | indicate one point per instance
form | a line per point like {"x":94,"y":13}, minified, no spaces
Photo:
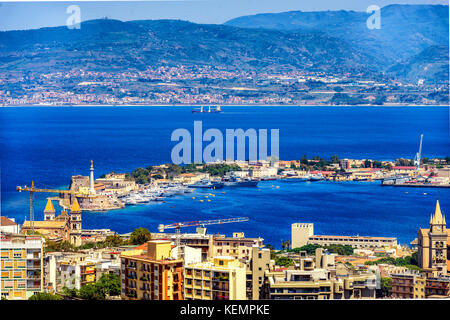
{"x":411,"y":44}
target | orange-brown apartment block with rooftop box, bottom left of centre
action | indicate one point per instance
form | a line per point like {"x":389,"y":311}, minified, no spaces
{"x":151,"y":273}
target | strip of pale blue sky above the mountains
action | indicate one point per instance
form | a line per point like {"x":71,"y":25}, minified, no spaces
{"x":31,"y":14}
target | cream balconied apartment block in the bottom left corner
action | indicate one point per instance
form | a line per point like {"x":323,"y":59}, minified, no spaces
{"x":21,"y":266}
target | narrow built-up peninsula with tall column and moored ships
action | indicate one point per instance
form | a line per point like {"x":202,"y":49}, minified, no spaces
{"x":157,"y":183}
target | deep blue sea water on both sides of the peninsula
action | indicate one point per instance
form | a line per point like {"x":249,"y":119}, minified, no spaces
{"x":50,"y":144}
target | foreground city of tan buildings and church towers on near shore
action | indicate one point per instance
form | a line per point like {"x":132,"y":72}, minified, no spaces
{"x":200,"y":266}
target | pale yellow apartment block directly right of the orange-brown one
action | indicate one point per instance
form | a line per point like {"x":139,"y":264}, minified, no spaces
{"x":221,"y":278}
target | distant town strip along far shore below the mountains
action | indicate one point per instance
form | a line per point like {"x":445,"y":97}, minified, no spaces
{"x":198,"y":85}
